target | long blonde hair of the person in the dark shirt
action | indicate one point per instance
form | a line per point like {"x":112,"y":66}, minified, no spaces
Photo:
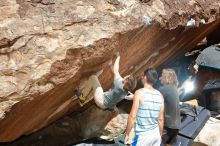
{"x":170,"y":77}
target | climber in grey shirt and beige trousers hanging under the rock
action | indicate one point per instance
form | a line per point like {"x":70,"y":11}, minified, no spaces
{"x":122,"y":88}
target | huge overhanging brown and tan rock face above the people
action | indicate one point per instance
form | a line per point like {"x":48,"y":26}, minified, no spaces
{"x":47,"y":47}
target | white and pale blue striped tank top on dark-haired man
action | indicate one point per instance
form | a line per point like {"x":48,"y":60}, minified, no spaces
{"x":148,"y":111}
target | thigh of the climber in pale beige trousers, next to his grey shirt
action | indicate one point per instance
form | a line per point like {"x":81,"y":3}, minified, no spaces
{"x":98,"y":92}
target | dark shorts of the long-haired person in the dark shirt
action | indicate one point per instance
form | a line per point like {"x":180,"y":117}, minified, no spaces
{"x":169,"y":136}
